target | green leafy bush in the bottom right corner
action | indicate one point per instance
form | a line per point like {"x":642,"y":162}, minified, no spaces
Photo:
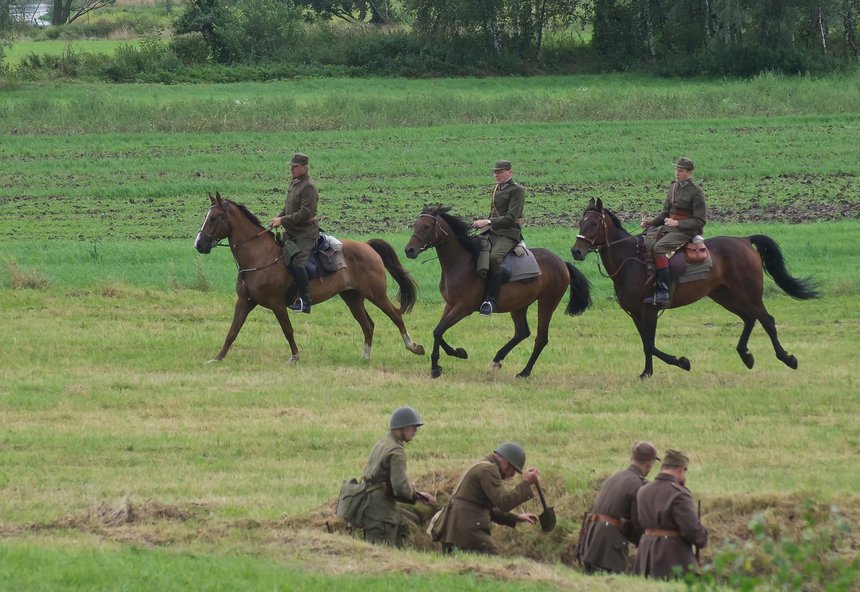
{"x":819,"y":557}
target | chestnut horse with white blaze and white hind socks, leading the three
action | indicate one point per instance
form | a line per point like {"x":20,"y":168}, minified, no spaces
{"x":264,"y":280}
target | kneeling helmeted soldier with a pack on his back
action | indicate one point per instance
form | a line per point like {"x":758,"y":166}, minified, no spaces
{"x":387,"y":483}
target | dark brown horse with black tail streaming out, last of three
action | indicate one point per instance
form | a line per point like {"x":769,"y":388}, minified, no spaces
{"x":736,"y":281}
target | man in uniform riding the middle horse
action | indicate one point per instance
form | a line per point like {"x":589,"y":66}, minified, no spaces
{"x":502,"y":230}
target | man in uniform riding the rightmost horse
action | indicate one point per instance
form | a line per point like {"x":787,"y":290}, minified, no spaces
{"x":683,"y":217}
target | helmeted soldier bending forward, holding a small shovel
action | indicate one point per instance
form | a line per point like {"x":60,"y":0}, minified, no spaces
{"x":481,"y":498}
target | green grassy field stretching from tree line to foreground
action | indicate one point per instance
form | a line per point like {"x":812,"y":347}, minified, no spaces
{"x":128,"y":462}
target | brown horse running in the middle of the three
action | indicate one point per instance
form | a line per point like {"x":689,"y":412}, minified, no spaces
{"x":463,"y":289}
